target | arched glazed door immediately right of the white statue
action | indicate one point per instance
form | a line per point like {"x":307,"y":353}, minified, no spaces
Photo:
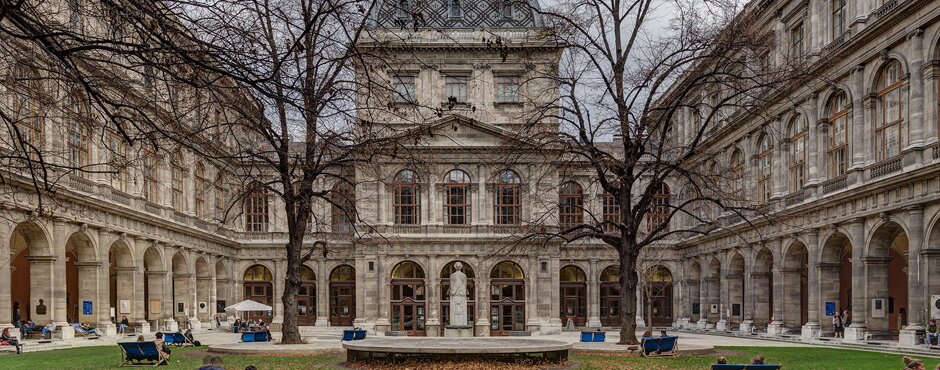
{"x":507,"y":299}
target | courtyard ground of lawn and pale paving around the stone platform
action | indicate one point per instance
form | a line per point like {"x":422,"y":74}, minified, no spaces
{"x":324,"y":351}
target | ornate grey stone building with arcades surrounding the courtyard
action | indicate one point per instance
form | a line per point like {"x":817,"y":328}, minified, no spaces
{"x":848,"y":170}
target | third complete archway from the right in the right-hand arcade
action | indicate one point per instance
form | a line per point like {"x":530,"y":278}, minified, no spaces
{"x":795,"y":284}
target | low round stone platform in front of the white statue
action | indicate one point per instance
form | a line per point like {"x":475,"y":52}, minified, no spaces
{"x":395,"y":349}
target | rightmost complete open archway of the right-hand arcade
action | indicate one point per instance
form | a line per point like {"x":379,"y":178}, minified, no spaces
{"x":887,"y":278}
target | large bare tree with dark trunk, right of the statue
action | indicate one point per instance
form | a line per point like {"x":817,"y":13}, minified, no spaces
{"x":639,"y":101}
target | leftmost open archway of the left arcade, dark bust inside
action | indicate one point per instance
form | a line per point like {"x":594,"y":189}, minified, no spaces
{"x":29,"y":247}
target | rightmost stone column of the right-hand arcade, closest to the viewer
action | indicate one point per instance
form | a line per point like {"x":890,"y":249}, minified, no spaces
{"x":917,"y":307}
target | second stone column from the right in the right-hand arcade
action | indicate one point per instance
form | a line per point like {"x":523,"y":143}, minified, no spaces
{"x":856,"y":331}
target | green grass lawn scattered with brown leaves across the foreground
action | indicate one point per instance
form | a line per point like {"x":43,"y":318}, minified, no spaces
{"x":191,"y":358}
